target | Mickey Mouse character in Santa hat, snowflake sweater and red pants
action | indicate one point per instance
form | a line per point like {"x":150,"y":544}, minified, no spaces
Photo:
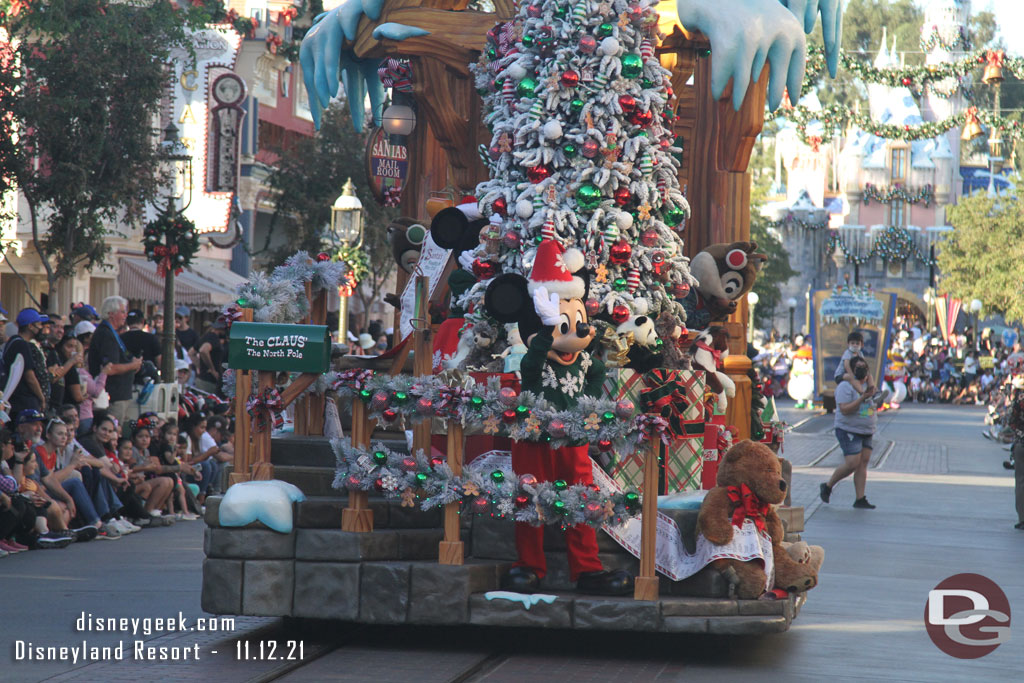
{"x":552,"y":319}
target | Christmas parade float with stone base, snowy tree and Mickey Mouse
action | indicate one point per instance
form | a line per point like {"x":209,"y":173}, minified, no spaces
{"x":582,"y":168}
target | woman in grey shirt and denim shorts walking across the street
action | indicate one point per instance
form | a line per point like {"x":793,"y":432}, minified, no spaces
{"x":856,"y":424}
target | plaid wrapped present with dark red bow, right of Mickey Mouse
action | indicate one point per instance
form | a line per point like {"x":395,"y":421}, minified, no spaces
{"x":677,"y":396}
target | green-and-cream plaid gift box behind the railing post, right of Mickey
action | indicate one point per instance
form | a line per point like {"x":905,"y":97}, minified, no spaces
{"x":681,"y":460}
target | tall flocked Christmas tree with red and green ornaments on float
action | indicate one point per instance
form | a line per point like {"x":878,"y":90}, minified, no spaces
{"x":583,"y":153}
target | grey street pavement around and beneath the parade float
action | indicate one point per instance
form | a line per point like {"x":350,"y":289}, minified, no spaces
{"x":946,"y":506}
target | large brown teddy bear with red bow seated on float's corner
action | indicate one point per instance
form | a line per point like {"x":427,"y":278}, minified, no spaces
{"x":738,"y":518}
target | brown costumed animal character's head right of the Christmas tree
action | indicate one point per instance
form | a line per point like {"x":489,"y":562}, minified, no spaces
{"x":724,"y":273}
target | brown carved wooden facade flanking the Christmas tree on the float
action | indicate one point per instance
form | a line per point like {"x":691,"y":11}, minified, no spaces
{"x":718,"y":141}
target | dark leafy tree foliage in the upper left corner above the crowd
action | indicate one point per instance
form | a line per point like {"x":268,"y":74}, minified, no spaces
{"x":80,"y":88}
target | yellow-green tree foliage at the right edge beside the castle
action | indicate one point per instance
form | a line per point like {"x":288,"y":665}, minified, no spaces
{"x":983,"y":258}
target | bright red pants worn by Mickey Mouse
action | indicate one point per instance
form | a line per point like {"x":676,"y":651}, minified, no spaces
{"x":574,"y":465}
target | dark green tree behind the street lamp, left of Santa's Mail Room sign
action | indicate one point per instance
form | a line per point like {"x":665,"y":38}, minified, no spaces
{"x":306,"y":183}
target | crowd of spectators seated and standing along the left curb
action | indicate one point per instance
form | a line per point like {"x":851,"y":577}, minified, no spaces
{"x":79,"y":459}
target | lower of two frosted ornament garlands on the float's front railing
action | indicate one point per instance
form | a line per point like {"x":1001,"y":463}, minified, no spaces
{"x":500,"y":494}
